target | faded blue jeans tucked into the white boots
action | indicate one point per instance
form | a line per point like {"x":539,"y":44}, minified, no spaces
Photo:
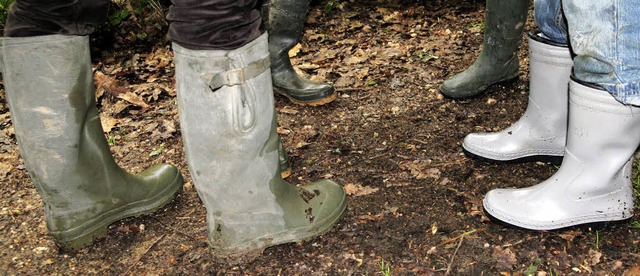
{"x":605,"y":38}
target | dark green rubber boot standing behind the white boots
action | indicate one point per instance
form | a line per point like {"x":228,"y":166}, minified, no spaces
{"x":498,"y":60}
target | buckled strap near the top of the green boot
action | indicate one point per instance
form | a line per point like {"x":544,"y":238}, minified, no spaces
{"x":237,"y":76}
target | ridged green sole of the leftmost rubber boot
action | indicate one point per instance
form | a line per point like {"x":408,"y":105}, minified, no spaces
{"x":98,"y":228}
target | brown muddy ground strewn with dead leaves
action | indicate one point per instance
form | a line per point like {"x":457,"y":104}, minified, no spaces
{"x":390,"y":138}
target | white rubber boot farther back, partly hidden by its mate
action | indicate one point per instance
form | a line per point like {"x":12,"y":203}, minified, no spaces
{"x":540,"y":133}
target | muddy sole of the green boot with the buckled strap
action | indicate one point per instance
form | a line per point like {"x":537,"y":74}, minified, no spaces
{"x":240,"y":254}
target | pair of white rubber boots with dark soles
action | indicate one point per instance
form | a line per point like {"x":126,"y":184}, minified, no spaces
{"x":596,"y":135}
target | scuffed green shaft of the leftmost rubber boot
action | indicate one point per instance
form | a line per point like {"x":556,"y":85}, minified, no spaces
{"x":51,"y":95}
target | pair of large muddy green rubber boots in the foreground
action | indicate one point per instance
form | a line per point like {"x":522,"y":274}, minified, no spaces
{"x":229,"y":134}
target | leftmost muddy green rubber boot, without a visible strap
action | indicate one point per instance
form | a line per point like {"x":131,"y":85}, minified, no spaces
{"x":51,"y":94}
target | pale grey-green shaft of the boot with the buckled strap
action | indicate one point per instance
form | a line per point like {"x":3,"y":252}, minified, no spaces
{"x":227,"y":131}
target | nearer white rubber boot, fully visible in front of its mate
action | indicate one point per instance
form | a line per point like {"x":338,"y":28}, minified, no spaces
{"x":594,"y":182}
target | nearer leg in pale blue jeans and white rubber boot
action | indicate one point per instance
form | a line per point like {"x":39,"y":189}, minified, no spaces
{"x":593,"y":183}
